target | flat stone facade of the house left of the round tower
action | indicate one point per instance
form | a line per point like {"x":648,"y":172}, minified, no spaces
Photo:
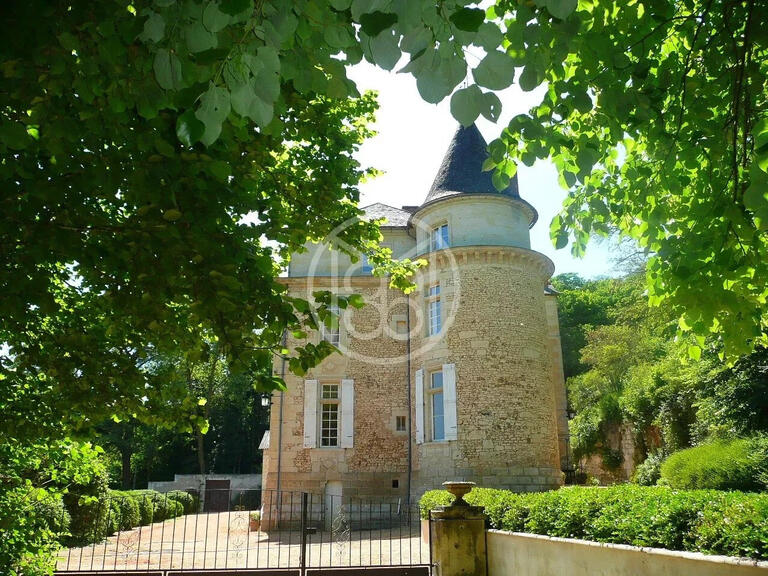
{"x":375,"y":360}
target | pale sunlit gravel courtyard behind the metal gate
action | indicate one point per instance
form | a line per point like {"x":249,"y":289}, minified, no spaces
{"x":222,"y":540}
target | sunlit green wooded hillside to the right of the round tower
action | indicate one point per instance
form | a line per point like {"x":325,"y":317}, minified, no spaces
{"x":627,"y":372}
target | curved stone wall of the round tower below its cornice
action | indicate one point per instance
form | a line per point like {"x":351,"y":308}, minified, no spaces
{"x":498,"y":339}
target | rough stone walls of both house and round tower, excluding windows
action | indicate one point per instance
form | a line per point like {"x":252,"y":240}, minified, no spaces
{"x":498,"y":334}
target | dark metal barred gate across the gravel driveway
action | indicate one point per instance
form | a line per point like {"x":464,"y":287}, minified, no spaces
{"x":258,"y":532}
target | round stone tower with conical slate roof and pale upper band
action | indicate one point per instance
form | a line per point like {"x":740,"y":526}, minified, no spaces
{"x":492,"y":363}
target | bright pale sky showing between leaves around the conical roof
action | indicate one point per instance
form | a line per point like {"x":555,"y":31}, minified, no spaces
{"x":413,"y":137}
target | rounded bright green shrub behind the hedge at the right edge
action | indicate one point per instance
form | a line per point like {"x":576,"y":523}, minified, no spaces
{"x":719,"y":465}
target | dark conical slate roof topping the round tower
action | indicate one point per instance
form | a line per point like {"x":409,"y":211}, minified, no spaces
{"x":462,"y":169}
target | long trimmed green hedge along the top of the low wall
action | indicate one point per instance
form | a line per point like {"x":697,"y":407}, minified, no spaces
{"x":709,"y":521}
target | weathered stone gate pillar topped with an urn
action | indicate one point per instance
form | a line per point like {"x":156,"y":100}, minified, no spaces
{"x":457,"y":538}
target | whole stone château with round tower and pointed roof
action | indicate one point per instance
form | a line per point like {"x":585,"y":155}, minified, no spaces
{"x":461,"y":379}
